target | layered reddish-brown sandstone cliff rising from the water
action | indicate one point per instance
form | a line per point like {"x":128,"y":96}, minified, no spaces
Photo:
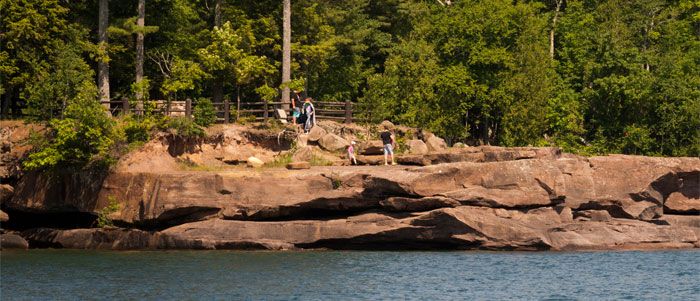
{"x":508,"y":199}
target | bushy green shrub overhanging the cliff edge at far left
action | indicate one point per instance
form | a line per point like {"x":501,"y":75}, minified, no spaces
{"x":84,"y":134}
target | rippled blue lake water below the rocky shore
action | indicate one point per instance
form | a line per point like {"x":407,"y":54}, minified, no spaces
{"x":321,"y":275}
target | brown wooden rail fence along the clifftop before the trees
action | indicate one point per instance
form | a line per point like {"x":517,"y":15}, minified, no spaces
{"x":228,"y":111}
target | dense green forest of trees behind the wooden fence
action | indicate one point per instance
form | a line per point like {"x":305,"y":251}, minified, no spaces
{"x":606,"y":76}
